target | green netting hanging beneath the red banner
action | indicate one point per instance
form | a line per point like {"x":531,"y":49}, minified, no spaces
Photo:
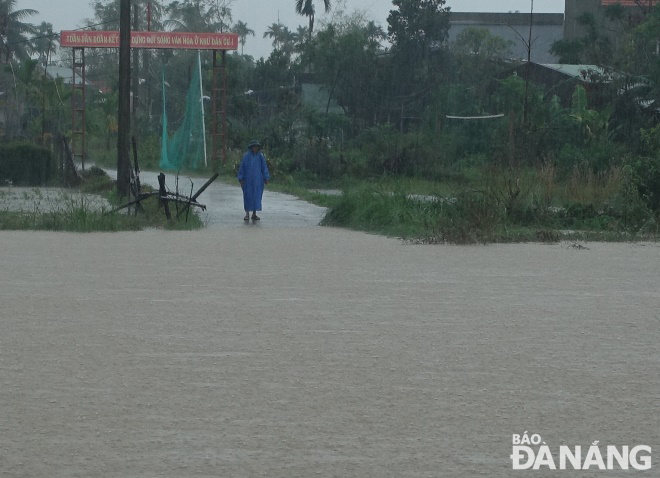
{"x":185,"y":148}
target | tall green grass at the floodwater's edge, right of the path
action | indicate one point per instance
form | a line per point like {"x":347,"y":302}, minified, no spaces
{"x":507,"y":208}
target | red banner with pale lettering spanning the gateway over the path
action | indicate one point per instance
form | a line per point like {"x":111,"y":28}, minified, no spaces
{"x":173,"y":40}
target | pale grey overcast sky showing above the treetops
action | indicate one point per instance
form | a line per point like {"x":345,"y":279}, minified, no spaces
{"x":259,"y":14}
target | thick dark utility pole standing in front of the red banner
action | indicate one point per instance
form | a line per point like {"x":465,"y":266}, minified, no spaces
{"x":124,"y":113}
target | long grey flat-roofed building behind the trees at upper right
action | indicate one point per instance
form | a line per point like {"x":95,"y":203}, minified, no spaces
{"x":514,"y":27}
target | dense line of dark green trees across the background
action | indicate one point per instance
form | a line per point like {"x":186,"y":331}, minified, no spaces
{"x":348,"y":96}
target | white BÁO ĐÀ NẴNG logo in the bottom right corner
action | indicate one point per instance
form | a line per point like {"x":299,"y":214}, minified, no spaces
{"x":531,"y":452}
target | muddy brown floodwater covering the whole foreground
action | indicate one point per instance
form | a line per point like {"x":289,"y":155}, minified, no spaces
{"x":302,"y":352}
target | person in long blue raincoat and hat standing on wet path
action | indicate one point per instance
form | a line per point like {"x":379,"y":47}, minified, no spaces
{"x":253,"y":175}
